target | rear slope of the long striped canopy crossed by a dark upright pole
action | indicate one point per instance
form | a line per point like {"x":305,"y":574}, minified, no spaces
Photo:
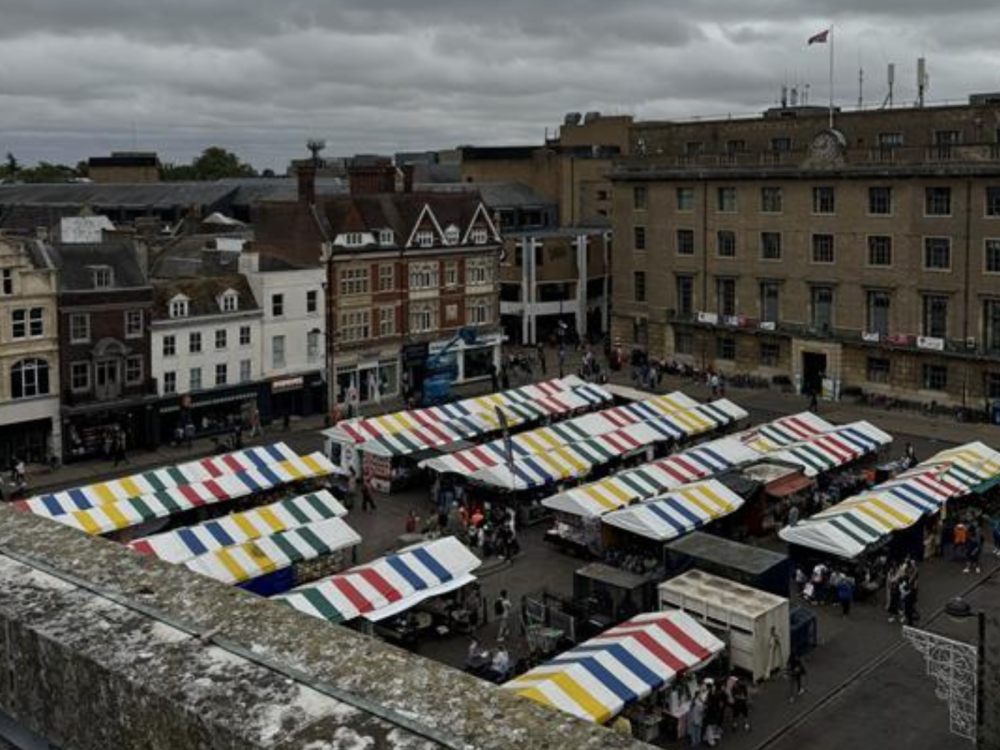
{"x":561,"y":434}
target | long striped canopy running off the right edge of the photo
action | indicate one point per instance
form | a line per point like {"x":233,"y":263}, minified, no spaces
{"x":852,"y":526}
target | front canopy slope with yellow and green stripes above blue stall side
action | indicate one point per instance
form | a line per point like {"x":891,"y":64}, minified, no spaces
{"x":250,"y":560}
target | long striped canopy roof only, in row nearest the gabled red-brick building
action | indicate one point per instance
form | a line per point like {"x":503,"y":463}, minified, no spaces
{"x":474,"y":416}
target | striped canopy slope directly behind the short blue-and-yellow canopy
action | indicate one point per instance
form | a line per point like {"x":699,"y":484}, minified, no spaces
{"x":652,"y":479}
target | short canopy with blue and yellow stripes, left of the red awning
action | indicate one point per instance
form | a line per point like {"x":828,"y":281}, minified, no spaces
{"x":677,"y":513}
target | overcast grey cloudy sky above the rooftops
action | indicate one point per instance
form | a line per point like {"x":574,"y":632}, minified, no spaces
{"x":261,"y":76}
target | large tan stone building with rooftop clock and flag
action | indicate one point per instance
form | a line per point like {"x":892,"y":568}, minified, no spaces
{"x":863,"y":257}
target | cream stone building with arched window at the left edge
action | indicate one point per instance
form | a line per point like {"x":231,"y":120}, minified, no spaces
{"x":29,"y":353}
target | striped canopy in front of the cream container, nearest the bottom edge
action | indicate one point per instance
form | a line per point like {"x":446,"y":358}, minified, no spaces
{"x":622,"y":666}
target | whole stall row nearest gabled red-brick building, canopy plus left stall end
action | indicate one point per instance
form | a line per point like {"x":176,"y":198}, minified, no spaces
{"x":387,"y":448}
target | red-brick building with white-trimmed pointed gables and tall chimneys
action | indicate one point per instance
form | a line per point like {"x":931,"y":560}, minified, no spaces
{"x":405,"y":272}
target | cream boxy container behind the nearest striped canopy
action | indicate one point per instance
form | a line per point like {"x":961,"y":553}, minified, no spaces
{"x":754,"y":624}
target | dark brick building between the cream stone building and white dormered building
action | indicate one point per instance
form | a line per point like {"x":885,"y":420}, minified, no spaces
{"x":104,"y":310}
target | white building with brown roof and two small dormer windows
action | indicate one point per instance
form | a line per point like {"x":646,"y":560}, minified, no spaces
{"x":206,"y":343}
